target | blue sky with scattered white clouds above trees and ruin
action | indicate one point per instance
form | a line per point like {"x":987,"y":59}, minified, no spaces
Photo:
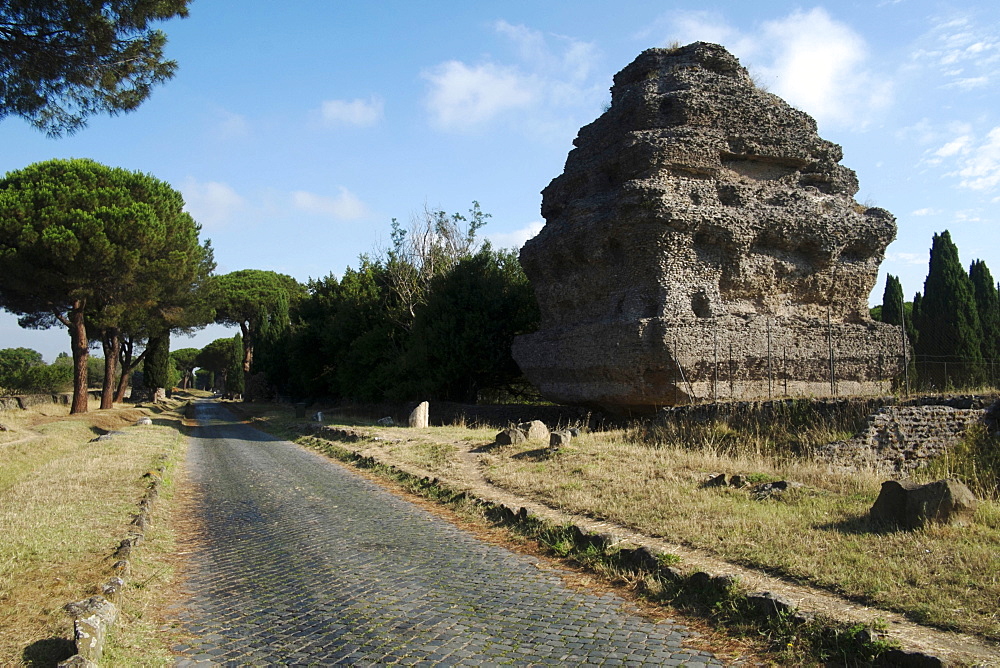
{"x":297,"y":130}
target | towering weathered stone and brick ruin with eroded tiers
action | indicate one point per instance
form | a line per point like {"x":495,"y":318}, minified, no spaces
{"x":703,"y":243}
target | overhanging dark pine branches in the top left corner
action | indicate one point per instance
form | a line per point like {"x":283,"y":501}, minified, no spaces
{"x":64,"y":60}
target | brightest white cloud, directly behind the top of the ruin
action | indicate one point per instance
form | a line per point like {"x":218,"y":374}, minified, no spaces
{"x":813,"y":61}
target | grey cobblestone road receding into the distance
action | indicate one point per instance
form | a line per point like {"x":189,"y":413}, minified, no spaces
{"x":303,"y":562}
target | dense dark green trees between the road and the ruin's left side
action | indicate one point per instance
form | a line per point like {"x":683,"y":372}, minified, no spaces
{"x":431,"y":319}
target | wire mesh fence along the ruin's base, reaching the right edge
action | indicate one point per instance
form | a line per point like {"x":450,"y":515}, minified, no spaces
{"x":772,"y":358}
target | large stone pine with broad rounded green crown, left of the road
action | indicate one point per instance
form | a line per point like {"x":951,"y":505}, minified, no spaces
{"x":82,"y":244}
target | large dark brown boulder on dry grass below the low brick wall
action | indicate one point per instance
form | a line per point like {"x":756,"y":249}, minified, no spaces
{"x":911,"y":506}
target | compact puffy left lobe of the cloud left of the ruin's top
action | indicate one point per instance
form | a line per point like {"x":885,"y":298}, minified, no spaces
{"x":462,"y":96}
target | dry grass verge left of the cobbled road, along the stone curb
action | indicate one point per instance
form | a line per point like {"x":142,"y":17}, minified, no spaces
{"x":64,"y":504}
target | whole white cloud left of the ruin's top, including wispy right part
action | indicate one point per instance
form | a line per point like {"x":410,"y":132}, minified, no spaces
{"x":550,"y":78}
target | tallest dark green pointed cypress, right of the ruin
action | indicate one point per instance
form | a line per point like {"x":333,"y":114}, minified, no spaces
{"x":949,"y":347}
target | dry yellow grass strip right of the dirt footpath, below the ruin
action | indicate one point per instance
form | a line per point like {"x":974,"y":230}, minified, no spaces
{"x":945,"y":576}
